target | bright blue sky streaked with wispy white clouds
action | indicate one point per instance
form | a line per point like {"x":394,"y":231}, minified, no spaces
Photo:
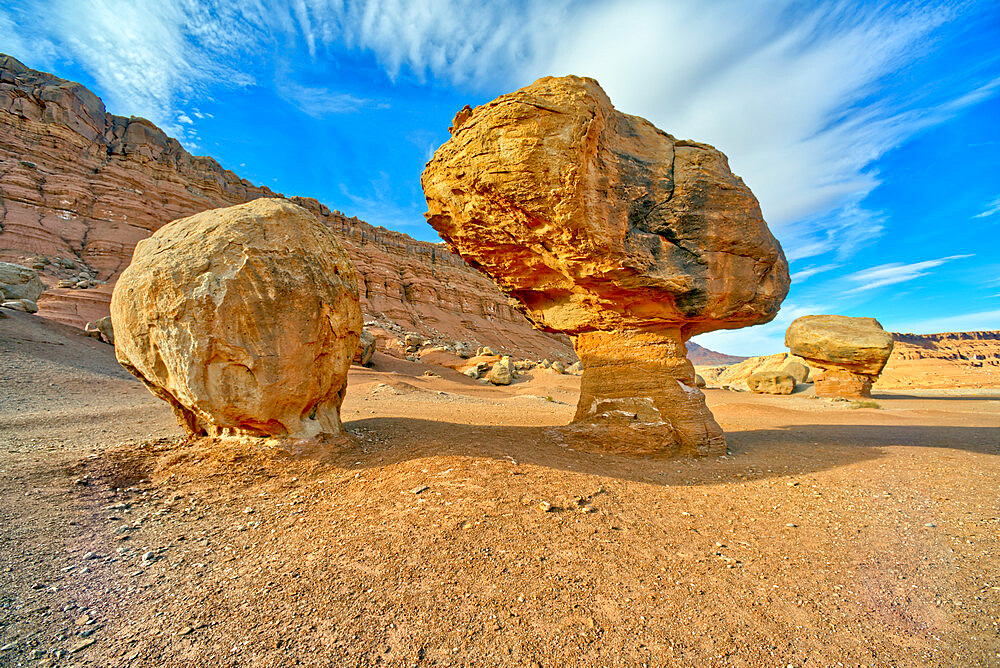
{"x":869,"y":131}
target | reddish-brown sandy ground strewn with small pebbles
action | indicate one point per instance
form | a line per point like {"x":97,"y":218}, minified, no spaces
{"x":457,"y":529}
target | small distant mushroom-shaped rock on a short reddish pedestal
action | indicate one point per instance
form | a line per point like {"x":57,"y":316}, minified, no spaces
{"x":849,"y":353}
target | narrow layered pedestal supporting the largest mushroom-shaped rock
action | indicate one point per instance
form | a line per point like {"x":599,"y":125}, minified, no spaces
{"x":638,"y":395}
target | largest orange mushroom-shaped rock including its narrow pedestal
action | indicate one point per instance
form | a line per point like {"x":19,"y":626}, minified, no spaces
{"x":608,"y":229}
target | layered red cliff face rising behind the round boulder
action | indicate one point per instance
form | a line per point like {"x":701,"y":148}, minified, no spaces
{"x":79,"y":187}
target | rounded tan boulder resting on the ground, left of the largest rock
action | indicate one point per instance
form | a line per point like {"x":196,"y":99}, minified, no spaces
{"x":244,"y":319}
